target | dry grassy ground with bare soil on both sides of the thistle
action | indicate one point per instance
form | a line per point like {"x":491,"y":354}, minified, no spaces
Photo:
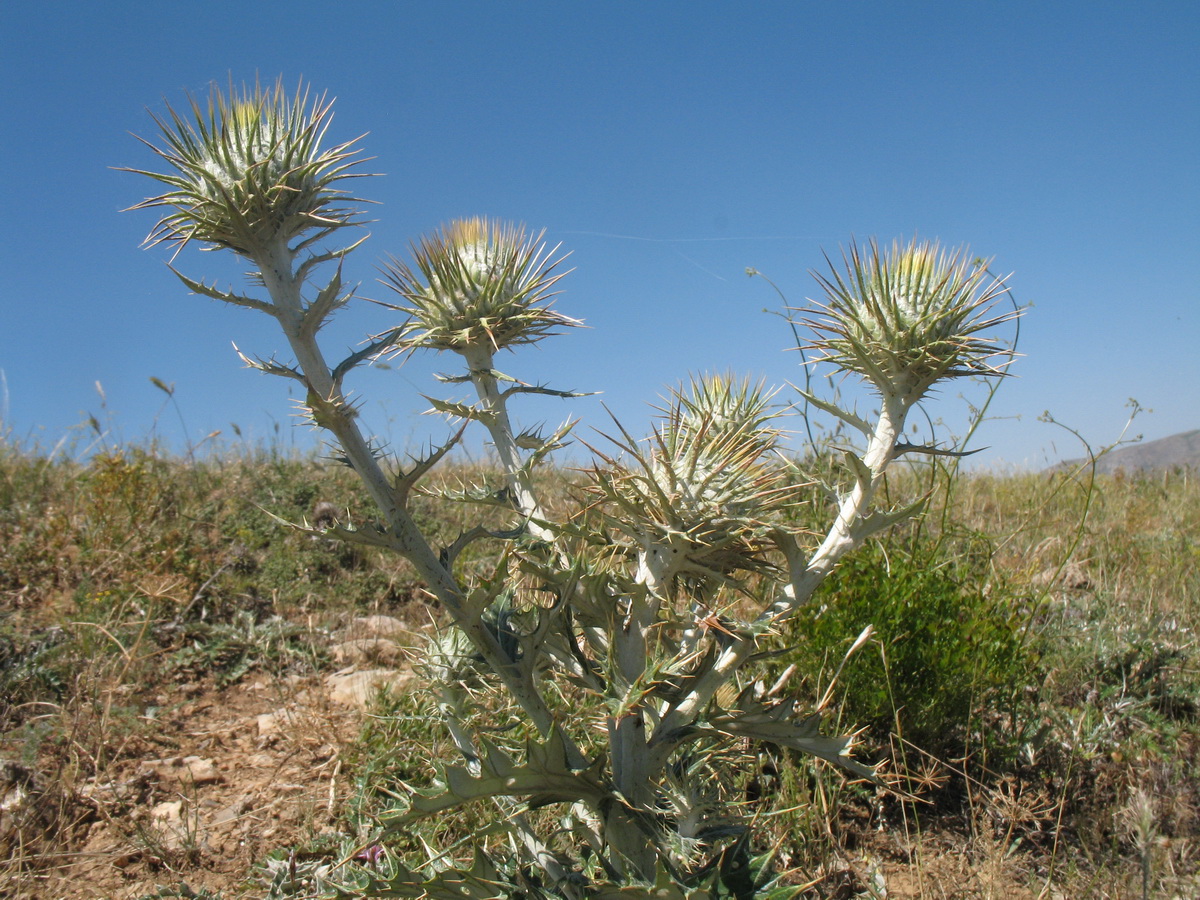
{"x":148,"y":607}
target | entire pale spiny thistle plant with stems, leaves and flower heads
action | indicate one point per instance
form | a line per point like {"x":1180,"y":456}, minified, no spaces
{"x":626,"y":632}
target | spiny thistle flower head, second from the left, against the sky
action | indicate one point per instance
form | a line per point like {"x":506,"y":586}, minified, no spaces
{"x":478,"y":284}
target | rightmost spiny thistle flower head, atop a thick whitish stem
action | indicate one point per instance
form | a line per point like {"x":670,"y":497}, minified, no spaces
{"x":908,"y":317}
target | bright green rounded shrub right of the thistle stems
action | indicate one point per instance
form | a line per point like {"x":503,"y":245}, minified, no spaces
{"x":945,"y":647}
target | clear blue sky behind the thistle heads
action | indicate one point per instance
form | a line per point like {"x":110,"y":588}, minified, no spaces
{"x":668,"y":146}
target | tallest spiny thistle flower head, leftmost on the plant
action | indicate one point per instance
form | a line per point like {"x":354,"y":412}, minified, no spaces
{"x":249,"y":173}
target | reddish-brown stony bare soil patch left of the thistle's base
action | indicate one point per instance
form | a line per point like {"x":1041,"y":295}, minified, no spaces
{"x":219,"y":779}
